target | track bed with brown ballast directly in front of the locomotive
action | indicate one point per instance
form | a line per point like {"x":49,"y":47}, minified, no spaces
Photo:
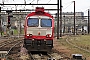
{"x":47,"y":56}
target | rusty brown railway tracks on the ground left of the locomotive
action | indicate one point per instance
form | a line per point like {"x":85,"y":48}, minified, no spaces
{"x":12,"y":46}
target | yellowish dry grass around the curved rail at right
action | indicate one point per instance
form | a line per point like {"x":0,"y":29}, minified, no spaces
{"x":82,"y":41}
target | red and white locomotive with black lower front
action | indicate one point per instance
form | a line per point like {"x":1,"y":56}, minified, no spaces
{"x":39,"y":31}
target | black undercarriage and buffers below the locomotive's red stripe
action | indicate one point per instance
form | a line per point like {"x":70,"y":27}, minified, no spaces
{"x":38,"y":45}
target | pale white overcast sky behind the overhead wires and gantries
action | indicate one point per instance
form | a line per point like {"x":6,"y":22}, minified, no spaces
{"x":81,"y":5}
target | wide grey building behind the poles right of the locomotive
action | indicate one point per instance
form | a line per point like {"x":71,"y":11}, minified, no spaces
{"x":68,"y":21}
